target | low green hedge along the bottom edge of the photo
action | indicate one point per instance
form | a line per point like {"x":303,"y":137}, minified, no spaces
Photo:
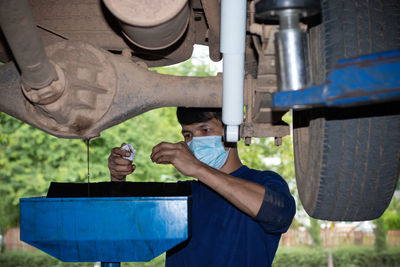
{"x":285,"y":257}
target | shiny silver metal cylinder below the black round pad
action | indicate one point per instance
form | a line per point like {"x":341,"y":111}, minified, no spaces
{"x":292,"y":52}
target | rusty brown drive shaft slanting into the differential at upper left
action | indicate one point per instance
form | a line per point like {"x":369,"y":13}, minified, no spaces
{"x":19,"y":28}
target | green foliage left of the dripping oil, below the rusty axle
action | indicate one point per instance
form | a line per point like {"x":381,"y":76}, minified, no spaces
{"x":26,"y":163}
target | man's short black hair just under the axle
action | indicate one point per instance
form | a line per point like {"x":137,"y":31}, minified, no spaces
{"x":188,"y":116}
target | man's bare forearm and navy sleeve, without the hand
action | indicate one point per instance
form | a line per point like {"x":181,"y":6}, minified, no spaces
{"x":271,"y":204}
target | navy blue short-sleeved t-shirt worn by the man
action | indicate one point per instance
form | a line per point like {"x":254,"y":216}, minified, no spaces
{"x":222,"y":235}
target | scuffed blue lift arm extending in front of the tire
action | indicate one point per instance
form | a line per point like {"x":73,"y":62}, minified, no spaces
{"x":364,"y":80}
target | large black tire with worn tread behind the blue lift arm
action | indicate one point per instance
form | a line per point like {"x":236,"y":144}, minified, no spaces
{"x":347,"y":160}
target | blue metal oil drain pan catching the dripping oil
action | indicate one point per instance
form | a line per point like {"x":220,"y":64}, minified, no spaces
{"x":119,"y":222}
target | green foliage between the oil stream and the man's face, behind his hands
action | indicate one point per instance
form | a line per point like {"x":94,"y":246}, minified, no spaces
{"x":143,"y":132}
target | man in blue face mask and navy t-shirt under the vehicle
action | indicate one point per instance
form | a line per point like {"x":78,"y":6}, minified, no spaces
{"x":238,"y":214}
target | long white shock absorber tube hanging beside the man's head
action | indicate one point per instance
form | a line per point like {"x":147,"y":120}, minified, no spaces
{"x":233,"y":43}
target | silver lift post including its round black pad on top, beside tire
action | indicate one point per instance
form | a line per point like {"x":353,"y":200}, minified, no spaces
{"x":291,"y":44}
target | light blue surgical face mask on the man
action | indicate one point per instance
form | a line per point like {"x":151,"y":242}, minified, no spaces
{"x":209,"y":150}
